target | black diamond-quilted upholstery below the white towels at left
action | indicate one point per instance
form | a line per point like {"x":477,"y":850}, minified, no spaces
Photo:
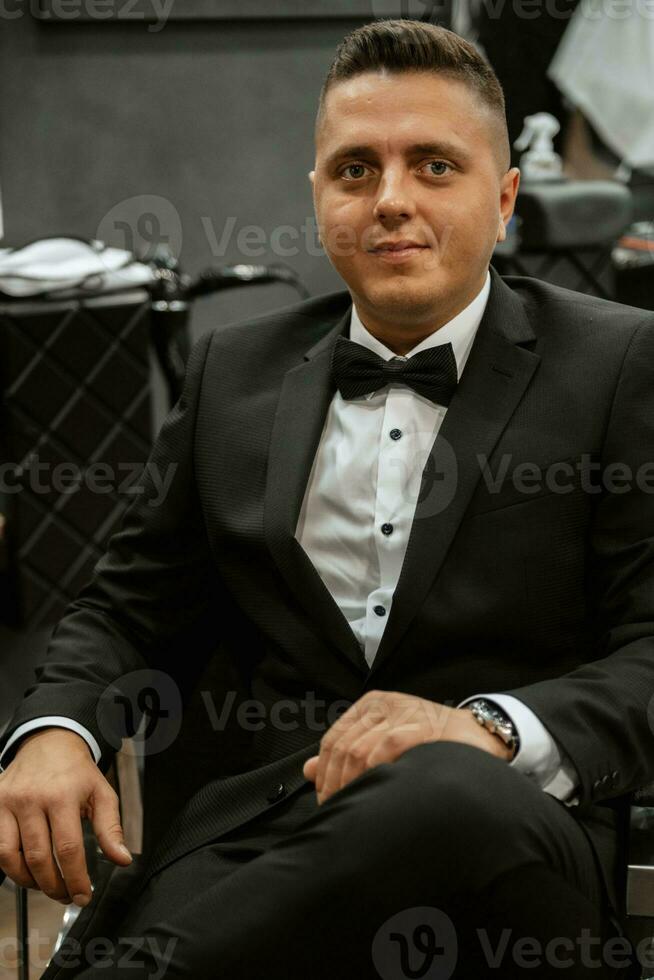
{"x":76,"y":389}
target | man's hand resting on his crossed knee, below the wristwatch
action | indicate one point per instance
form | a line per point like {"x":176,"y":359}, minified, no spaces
{"x":380,"y":727}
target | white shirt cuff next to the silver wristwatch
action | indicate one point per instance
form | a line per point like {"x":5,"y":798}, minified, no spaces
{"x":538,"y":757}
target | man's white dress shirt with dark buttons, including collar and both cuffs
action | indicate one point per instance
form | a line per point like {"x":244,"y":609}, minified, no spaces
{"x":356,"y":517}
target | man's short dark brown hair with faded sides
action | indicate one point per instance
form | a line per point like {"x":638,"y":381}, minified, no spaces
{"x":414,"y":45}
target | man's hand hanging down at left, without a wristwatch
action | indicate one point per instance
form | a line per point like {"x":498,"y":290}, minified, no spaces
{"x":51,"y":783}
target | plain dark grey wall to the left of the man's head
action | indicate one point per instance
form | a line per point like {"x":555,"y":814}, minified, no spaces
{"x":198,"y":124}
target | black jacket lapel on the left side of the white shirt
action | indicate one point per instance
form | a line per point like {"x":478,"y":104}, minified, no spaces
{"x":304,"y":400}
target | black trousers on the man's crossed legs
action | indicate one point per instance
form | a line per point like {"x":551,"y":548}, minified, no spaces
{"x":446,"y":863}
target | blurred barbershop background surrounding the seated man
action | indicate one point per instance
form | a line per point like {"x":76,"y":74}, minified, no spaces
{"x":154,"y":159}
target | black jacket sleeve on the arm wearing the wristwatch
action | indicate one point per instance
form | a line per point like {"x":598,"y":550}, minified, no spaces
{"x":602,"y":713}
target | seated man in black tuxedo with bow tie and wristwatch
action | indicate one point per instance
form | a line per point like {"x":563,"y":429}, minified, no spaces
{"x":414,"y":517}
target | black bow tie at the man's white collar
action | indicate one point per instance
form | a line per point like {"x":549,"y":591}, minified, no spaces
{"x":357,"y":371}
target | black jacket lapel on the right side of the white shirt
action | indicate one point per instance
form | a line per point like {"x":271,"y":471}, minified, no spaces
{"x":499,"y":368}
